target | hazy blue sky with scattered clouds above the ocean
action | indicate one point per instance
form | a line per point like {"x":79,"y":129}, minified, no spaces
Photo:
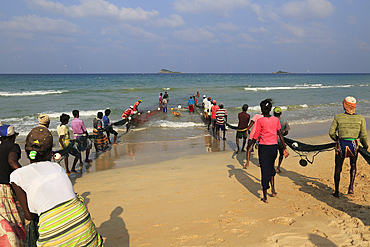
{"x":190,"y":36}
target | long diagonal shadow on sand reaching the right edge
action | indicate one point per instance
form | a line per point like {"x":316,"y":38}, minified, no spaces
{"x":323,"y":193}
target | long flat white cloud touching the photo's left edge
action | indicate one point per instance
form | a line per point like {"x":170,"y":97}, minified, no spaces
{"x":33,"y":23}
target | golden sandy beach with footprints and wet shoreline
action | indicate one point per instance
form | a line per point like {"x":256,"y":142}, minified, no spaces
{"x":183,"y":198}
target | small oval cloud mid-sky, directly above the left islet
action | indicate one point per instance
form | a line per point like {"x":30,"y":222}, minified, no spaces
{"x":195,"y":35}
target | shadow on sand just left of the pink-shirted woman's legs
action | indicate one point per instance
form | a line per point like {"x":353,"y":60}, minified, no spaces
{"x":245,"y":179}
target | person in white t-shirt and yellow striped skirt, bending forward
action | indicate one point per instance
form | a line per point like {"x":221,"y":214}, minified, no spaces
{"x":44,"y":189}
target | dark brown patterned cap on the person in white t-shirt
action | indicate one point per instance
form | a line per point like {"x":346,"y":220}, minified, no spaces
{"x":39,"y":139}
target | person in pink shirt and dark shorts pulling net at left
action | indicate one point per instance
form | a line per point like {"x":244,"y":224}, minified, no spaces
{"x":79,"y":130}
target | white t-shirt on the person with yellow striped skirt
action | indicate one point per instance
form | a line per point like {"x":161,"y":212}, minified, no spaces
{"x":45,"y":183}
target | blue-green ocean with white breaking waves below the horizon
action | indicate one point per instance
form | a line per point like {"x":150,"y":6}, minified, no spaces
{"x":304,"y":98}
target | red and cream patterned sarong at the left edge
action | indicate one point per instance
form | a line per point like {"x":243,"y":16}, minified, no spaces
{"x":12,"y":231}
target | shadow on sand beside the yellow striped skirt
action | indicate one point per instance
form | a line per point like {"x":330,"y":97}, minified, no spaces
{"x":114,"y":230}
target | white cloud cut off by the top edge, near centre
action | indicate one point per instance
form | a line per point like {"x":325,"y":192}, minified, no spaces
{"x":221,"y":7}
